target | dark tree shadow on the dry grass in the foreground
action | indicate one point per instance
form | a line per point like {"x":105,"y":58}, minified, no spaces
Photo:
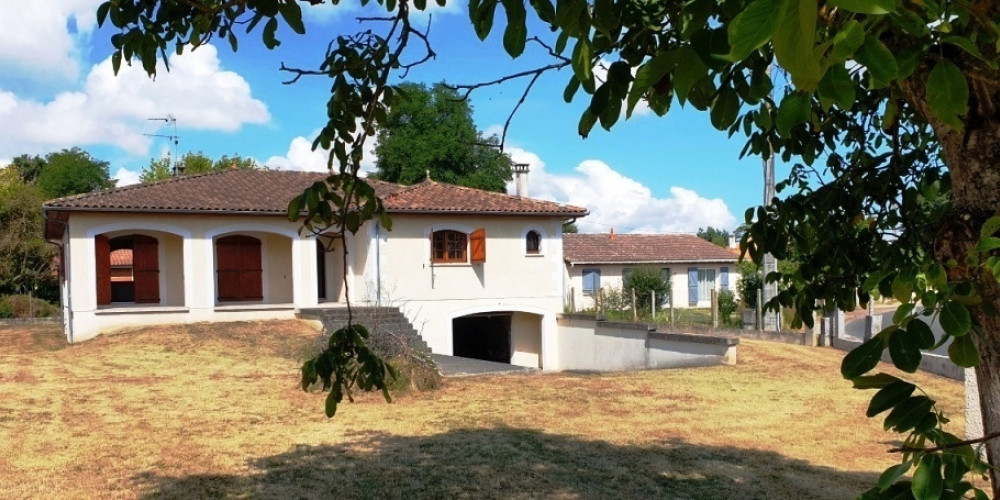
{"x":515,"y":463}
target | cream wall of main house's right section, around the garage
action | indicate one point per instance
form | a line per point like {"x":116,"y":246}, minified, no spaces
{"x":432,"y":294}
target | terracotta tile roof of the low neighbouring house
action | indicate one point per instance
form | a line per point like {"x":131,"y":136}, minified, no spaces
{"x":641,"y":248}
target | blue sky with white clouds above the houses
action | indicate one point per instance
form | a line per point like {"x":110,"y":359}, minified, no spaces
{"x":57,"y":90}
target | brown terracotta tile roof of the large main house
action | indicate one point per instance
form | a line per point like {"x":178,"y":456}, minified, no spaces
{"x":268,"y":192}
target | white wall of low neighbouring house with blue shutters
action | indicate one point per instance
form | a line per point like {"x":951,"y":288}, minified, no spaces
{"x":612,"y":279}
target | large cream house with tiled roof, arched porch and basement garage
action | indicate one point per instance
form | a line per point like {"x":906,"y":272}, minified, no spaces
{"x":219,"y":247}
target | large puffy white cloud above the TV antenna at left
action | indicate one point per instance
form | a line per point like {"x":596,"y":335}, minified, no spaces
{"x":115,"y":110}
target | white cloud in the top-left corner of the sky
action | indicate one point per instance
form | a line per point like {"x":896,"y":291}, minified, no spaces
{"x":35,"y":39}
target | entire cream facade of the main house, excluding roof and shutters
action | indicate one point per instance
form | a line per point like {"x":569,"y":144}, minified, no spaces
{"x":390,"y":268}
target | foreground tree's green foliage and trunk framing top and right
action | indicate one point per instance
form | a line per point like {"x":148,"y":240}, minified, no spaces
{"x":890,"y":115}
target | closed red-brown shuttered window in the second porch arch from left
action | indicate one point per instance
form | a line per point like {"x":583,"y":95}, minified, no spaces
{"x":239,"y":268}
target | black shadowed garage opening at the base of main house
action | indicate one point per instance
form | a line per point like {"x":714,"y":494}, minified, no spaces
{"x":482,"y":336}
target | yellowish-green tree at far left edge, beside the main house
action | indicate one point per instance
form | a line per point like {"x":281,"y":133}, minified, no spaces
{"x":25,"y":258}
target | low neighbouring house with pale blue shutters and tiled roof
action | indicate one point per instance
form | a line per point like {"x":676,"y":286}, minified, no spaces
{"x":693,"y":266}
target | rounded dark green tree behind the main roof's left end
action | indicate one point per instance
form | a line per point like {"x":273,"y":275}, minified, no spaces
{"x":73,"y":171}
